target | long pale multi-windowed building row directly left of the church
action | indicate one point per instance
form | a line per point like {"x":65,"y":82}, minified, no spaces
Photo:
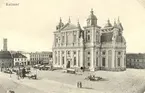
{"x":40,"y":57}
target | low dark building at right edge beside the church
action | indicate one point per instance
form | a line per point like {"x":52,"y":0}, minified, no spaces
{"x":135,"y":60}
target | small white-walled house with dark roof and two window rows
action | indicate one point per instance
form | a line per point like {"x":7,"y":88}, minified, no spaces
{"x":19,"y":59}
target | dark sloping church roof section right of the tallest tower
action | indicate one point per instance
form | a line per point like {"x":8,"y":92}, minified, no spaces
{"x":106,"y":37}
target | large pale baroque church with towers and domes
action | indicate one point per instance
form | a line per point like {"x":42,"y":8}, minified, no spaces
{"x":93,"y":47}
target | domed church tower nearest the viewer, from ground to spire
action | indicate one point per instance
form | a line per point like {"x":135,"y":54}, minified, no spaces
{"x":92,"y":38}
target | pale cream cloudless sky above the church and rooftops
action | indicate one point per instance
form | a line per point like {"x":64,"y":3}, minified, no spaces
{"x":30,"y":26}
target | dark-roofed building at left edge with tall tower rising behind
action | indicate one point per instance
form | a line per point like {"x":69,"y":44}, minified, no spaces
{"x":6,"y":59}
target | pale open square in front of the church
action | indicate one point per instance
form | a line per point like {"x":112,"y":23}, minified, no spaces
{"x":57,"y":81}
